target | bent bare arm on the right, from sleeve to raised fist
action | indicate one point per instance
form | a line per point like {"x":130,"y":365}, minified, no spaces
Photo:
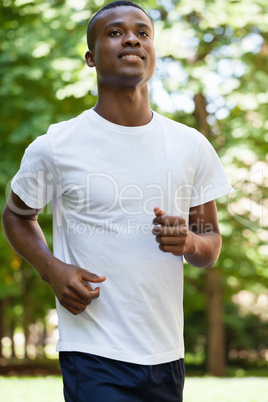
{"x":200,"y":243}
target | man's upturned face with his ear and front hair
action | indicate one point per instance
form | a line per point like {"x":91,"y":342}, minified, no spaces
{"x":124,"y":53}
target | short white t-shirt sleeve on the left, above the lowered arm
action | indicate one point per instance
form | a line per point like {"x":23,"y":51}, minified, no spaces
{"x":36,"y":181}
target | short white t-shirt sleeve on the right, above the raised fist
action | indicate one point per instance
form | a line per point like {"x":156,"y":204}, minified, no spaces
{"x":210,"y":181}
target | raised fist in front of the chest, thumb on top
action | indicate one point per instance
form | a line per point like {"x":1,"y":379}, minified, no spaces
{"x":172,"y":234}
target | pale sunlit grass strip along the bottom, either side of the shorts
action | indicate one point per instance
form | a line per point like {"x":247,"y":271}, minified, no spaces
{"x":197,"y":389}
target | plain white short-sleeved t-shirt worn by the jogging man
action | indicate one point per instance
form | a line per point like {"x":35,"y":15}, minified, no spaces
{"x":105,"y":180}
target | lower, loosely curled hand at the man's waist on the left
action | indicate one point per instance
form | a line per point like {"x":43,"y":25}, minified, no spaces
{"x":70,"y":285}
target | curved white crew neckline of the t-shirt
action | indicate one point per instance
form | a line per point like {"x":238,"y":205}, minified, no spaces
{"x":123,"y":129}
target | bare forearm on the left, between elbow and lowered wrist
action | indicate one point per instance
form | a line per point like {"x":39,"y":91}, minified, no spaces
{"x":28,"y":240}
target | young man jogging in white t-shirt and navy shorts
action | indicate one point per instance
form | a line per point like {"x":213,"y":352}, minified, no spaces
{"x":110,"y":172}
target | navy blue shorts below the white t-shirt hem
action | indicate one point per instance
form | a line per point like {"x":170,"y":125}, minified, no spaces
{"x":90,"y":378}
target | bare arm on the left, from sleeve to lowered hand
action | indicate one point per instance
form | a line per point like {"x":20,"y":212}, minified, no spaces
{"x":23,"y":232}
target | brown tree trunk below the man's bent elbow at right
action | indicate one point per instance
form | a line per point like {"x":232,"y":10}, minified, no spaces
{"x":216,"y":361}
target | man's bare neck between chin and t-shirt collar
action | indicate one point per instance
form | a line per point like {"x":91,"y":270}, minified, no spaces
{"x":127,"y":107}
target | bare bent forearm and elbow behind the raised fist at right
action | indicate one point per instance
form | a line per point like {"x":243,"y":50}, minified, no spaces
{"x":205,"y":249}
